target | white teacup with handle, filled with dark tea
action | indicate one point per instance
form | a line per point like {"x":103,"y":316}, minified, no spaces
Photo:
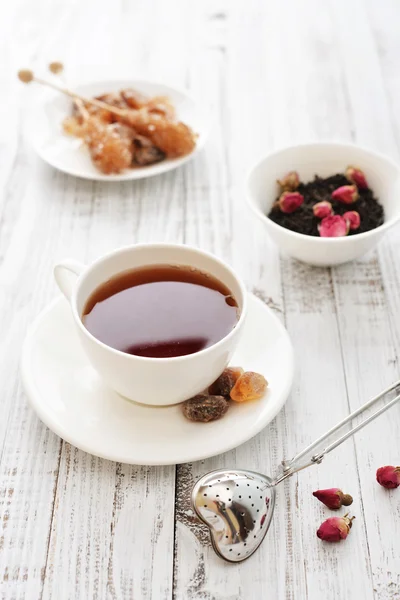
{"x":155,"y":381}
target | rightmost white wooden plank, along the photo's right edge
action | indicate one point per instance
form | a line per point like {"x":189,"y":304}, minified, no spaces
{"x":372,"y":308}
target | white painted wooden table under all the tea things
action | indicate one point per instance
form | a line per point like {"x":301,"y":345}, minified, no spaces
{"x":277,"y":72}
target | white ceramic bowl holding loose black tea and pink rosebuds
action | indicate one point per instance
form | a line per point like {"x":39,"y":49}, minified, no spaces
{"x":324,"y":159}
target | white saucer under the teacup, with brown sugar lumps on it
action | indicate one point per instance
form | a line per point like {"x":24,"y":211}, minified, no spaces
{"x":71,"y":399}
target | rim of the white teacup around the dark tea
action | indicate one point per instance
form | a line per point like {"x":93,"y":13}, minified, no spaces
{"x":89,"y":268}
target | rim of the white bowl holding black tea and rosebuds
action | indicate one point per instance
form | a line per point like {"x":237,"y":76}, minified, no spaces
{"x":251,"y":202}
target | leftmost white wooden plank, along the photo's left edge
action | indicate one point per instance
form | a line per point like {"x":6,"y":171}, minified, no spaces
{"x":29,"y":452}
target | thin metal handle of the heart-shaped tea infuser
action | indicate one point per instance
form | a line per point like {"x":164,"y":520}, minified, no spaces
{"x":297,"y":463}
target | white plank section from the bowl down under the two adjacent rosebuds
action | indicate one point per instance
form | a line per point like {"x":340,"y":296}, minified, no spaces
{"x":320,"y":400}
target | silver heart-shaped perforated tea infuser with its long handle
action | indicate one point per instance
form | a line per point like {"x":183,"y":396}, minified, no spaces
{"x":238,"y":505}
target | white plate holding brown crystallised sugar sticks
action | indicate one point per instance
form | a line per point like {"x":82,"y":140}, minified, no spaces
{"x":68,"y":154}
